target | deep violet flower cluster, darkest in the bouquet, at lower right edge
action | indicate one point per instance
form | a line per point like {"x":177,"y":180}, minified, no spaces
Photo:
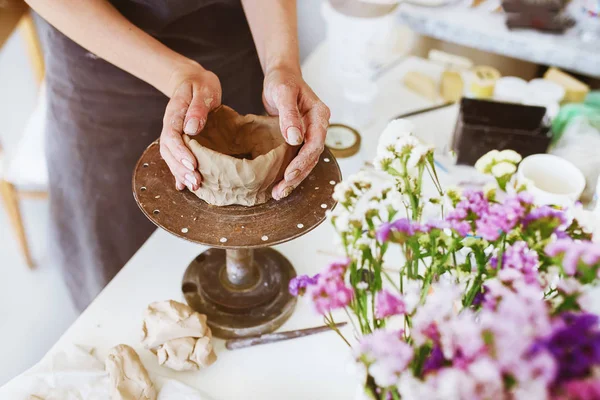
{"x":575,"y":345}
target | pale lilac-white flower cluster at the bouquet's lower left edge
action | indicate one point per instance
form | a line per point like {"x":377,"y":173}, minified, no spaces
{"x":385,"y":354}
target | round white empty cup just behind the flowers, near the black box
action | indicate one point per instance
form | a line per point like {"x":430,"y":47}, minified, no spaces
{"x":551,"y":180}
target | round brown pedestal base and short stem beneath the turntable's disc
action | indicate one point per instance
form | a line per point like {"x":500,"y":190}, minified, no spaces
{"x":243,"y":292}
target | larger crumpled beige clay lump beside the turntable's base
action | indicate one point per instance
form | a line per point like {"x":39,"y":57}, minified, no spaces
{"x":178,"y":336}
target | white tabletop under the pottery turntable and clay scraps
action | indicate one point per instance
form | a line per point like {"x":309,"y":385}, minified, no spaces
{"x":316,"y":367}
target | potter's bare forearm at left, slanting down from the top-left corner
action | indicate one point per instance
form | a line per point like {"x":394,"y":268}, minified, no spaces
{"x":98,"y":27}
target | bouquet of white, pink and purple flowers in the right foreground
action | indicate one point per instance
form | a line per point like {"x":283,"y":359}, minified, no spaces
{"x":488,"y":300}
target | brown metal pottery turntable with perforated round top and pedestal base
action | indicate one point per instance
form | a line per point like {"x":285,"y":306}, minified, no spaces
{"x":240,"y":283}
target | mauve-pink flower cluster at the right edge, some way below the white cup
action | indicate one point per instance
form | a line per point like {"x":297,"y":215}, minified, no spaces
{"x":573,"y":253}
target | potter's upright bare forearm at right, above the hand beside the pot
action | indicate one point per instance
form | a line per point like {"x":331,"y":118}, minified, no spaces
{"x":274,"y":25}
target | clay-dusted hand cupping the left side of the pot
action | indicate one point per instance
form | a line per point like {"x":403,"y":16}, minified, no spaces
{"x":196,"y":92}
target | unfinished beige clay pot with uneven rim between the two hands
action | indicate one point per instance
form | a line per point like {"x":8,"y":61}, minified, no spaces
{"x":240,"y":157}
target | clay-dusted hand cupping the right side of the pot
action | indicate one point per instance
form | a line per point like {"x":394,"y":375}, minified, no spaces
{"x":303,"y":118}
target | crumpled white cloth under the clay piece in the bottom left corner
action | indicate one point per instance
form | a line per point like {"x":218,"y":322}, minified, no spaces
{"x":75,"y":374}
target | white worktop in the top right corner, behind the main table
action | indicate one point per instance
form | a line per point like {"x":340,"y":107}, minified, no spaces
{"x":481,"y":29}
